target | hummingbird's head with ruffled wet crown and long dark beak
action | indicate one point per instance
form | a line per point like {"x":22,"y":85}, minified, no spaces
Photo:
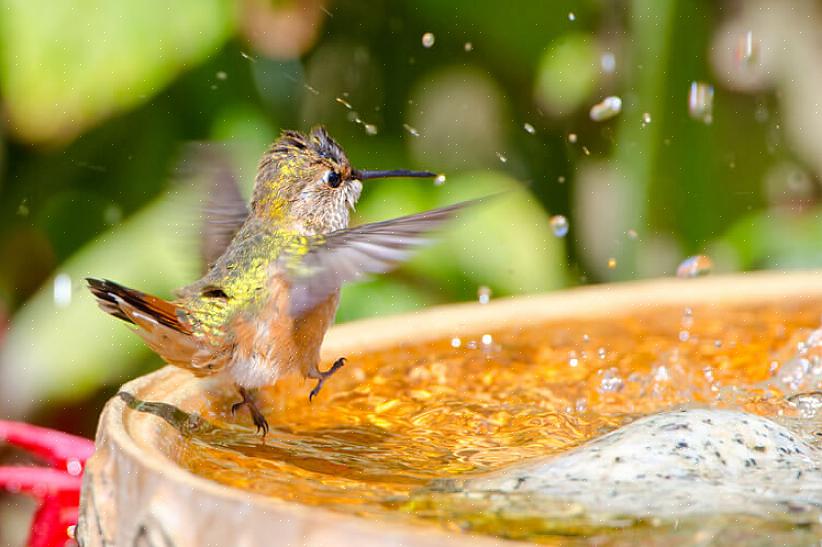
{"x":307,"y":181}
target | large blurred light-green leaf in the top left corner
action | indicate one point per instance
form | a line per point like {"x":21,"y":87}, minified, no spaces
{"x":66,"y":65}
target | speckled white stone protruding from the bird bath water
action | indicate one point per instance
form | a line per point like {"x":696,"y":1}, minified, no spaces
{"x":674,"y":464}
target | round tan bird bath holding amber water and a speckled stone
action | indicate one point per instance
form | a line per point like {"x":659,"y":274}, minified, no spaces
{"x":463,"y":425}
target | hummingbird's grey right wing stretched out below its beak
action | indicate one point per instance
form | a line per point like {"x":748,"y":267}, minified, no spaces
{"x":318,"y":266}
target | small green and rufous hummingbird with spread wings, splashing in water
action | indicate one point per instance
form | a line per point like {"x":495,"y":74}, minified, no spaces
{"x":274,"y":271}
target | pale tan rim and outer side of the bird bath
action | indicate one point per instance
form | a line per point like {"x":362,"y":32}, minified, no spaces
{"x":156,"y":488}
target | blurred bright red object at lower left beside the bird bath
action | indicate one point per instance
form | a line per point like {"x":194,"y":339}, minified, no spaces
{"x":57,"y":488}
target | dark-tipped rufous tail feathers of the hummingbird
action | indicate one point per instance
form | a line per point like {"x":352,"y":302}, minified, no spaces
{"x":123,"y":303}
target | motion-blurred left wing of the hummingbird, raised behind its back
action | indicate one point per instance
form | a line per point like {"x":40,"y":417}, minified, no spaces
{"x":224,"y":211}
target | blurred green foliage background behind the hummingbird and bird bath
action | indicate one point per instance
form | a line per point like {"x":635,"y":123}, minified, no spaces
{"x":657,"y":129}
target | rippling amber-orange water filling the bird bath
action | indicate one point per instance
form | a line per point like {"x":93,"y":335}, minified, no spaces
{"x":398,"y":432}
